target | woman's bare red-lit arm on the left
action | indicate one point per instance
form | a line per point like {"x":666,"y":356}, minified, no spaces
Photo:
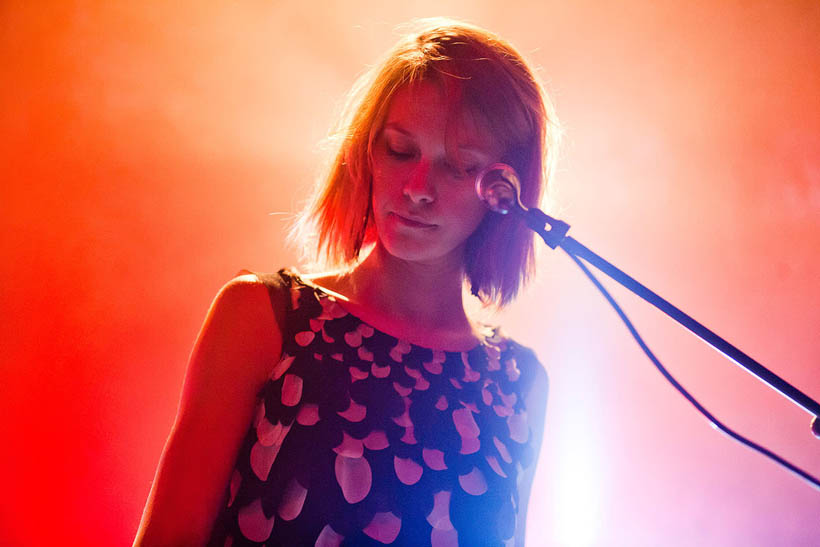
{"x":237,"y":346}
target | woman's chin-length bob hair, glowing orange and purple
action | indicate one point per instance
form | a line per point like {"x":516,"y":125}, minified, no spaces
{"x":480,"y":72}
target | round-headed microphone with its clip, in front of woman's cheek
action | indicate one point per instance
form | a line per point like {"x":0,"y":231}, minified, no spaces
{"x":499,"y":187}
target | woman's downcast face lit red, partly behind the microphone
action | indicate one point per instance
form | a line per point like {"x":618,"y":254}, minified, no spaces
{"x":425,"y":160}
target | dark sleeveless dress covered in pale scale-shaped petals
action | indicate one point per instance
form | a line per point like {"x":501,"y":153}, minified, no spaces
{"x":364,"y":439}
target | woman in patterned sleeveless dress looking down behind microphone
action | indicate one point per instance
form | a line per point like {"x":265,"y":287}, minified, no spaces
{"x":379,"y":412}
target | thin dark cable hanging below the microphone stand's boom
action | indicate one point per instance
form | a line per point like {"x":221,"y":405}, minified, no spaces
{"x":714,"y":421}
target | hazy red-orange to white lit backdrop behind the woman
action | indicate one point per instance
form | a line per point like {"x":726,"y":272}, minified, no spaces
{"x":144,"y":146}
